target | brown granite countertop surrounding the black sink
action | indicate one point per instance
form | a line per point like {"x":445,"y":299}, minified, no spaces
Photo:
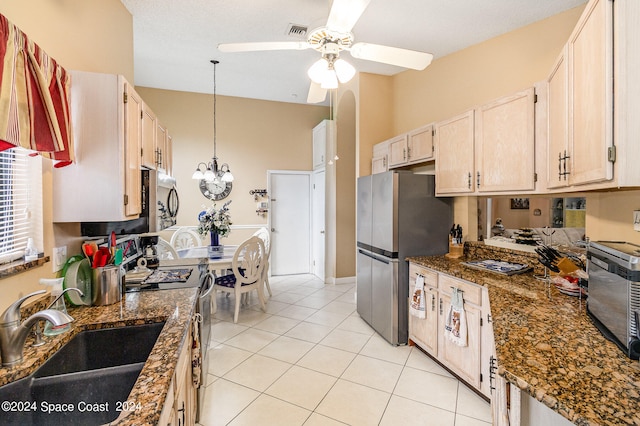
{"x":174,"y":307}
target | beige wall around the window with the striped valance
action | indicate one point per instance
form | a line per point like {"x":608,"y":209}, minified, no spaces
{"x":83,"y":35}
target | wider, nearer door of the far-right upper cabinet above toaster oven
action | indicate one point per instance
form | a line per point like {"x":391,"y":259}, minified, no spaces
{"x":591,"y":94}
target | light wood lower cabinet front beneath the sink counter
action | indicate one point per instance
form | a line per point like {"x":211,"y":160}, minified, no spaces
{"x":181,"y":403}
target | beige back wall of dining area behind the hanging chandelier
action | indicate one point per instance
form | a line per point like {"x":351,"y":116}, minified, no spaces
{"x":253,"y":136}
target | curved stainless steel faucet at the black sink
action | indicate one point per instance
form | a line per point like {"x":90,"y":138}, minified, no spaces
{"x":13,"y":334}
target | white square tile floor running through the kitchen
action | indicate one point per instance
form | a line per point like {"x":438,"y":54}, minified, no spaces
{"x":311,"y":360}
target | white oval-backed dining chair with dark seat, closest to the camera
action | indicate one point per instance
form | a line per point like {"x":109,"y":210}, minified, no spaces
{"x":247,"y":265}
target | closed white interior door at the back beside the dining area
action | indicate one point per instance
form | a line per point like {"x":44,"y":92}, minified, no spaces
{"x":290,"y":222}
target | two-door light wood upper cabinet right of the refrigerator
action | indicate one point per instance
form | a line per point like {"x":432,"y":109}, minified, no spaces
{"x":490,"y":149}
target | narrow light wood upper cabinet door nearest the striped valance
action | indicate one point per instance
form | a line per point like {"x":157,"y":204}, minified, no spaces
{"x":132,"y":141}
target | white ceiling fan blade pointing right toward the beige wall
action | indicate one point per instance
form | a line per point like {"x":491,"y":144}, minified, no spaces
{"x":391,"y":55}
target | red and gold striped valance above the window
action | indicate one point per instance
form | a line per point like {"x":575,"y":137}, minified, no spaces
{"x":34,"y":98}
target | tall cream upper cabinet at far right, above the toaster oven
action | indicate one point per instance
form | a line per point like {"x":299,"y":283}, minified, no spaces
{"x":593,"y":89}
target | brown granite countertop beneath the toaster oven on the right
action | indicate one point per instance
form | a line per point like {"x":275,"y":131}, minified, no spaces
{"x":548,"y":347}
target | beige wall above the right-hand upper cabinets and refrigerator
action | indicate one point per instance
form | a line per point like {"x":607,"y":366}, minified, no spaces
{"x":480,"y":73}
